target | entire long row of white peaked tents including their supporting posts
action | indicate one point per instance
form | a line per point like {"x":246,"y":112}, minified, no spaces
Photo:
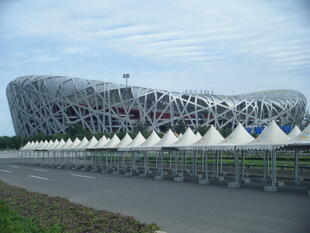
{"x":179,"y":157}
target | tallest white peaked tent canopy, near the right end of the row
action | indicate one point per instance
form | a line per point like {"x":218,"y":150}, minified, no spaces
{"x":272,"y":135}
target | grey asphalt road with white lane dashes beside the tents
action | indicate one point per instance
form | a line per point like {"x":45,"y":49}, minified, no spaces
{"x":175,"y":207}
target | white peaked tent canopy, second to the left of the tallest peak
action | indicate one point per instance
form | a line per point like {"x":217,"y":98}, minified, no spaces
{"x":211,"y":137}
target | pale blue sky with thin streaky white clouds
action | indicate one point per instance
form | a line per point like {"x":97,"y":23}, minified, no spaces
{"x":222,"y":46}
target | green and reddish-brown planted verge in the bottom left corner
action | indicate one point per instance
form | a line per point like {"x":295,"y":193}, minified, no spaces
{"x":23,"y":211}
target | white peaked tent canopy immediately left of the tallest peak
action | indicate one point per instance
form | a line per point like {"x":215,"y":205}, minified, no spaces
{"x":239,"y":136}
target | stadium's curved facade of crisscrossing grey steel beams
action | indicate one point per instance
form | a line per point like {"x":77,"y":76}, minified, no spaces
{"x":49,"y":104}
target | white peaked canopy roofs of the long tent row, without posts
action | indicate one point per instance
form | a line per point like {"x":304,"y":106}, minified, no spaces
{"x":272,"y":137}
